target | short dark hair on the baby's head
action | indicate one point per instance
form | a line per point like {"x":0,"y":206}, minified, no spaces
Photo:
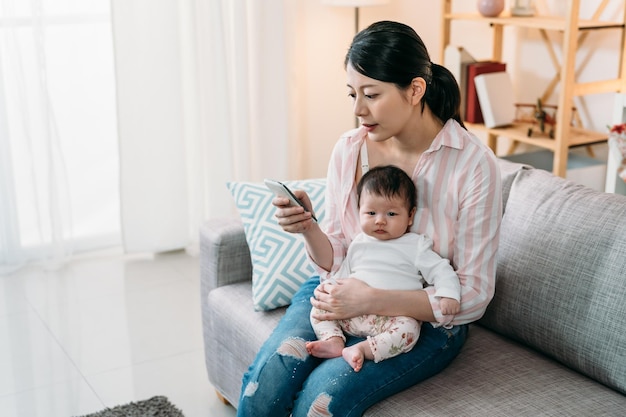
{"x":388,"y":181}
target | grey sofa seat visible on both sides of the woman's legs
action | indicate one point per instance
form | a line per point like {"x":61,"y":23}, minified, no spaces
{"x":492,"y":376}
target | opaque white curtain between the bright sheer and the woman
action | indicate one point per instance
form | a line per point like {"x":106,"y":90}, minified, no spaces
{"x":202,"y":99}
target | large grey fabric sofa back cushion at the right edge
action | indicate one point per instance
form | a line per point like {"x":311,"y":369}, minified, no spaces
{"x":561,"y":279}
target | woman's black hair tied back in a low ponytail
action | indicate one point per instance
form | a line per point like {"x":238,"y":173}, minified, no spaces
{"x":393,"y":52}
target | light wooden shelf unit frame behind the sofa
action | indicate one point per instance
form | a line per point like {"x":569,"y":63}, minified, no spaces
{"x":575,"y":30}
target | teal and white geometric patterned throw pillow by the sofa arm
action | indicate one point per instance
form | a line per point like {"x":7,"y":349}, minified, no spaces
{"x":279,"y":261}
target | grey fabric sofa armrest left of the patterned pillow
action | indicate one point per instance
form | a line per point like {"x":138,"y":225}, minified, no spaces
{"x":224,"y":254}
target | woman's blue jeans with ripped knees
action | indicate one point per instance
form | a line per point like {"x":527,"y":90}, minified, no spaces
{"x":284,"y":380}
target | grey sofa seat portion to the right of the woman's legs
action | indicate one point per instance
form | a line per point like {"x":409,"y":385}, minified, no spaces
{"x":494,"y":377}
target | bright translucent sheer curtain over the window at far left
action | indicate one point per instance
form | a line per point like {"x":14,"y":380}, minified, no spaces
{"x":57,"y":131}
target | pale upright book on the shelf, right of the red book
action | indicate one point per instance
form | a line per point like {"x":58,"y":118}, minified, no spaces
{"x":495,"y":95}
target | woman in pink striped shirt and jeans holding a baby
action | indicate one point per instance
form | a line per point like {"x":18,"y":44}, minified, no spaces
{"x":408,"y":108}
